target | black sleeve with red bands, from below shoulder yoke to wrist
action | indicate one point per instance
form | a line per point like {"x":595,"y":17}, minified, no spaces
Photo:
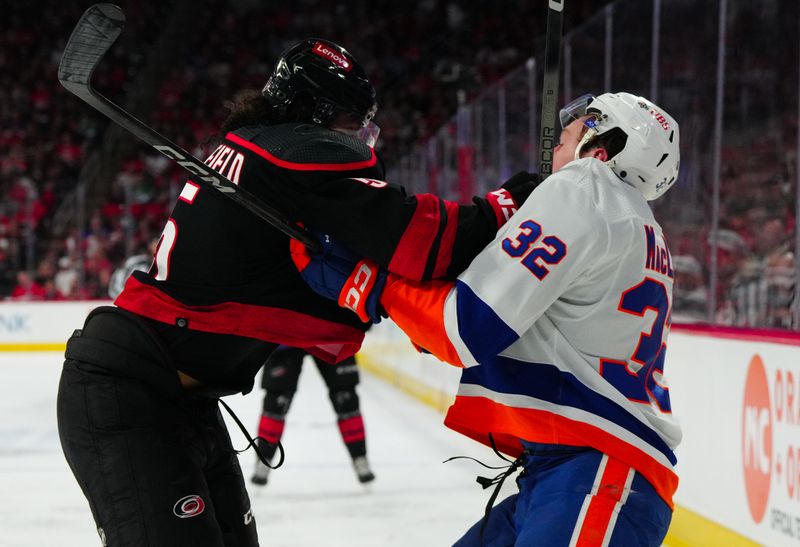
{"x":419,"y":236}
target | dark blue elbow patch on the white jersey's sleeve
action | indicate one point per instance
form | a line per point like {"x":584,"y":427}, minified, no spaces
{"x":479,"y":327}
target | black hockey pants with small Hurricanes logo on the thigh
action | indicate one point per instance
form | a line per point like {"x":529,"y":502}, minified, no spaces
{"x":156,"y":463}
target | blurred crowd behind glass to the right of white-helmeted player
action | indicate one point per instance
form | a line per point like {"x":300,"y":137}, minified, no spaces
{"x":755,"y":260}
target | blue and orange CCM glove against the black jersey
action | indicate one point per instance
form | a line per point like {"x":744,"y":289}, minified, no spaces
{"x":339,"y":274}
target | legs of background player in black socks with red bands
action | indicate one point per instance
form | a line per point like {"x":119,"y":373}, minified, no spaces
{"x":279,"y":379}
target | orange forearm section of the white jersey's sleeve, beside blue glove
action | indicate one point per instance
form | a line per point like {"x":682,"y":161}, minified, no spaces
{"x":418,"y":309}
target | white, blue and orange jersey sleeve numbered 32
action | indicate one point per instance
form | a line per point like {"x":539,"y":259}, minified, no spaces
{"x":536,"y":256}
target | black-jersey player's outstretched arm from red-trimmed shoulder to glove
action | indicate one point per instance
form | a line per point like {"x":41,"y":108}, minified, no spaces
{"x":339,"y":188}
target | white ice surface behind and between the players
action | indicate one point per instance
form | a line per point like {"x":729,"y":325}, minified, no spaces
{"x":314,"y":499}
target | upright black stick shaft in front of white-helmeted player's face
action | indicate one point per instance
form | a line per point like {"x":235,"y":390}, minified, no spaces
{"x":552,"y":63}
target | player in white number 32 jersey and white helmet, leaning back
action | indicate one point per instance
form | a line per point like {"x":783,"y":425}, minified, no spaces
{"x":561,"y":326}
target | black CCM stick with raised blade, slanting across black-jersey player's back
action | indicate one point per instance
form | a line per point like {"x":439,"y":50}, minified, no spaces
{"x":95,"y":33}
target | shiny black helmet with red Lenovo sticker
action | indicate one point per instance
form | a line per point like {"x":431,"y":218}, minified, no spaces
{"x":315,"y":79}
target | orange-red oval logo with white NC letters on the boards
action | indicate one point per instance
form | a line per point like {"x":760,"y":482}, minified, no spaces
{"x":757,"y":438}
